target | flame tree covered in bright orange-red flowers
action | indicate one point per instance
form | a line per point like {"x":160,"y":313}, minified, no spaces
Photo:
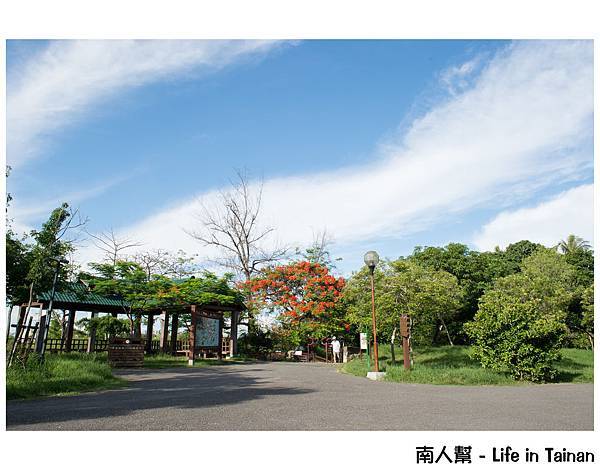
{"x":306,"y":297}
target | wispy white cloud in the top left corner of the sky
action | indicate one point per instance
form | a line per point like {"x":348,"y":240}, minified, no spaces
{"x":66,"y":80}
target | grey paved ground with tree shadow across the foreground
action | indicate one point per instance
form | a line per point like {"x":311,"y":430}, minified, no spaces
{"x":288,"y":396}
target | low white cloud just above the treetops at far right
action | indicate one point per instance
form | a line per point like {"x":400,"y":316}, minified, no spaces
{"x":571,"y":212}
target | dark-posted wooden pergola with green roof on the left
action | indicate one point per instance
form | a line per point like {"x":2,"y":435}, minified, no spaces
{"x":78,"y":297}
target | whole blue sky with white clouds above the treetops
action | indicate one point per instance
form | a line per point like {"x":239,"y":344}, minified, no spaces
{"x":386,"y":144}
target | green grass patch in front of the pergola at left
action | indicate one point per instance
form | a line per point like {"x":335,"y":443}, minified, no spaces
{"x":60,"y":374}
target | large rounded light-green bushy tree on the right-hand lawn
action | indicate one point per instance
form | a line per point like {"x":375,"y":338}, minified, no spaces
{"x":521,"y":321}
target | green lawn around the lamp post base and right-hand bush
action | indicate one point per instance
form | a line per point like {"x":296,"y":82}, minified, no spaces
{"x":451,"y":365}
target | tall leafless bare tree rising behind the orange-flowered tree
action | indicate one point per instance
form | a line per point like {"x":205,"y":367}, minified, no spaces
{"x":232,"y":226}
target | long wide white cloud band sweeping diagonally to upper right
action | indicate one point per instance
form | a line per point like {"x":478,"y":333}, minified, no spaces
{"x":518,"y":128}
